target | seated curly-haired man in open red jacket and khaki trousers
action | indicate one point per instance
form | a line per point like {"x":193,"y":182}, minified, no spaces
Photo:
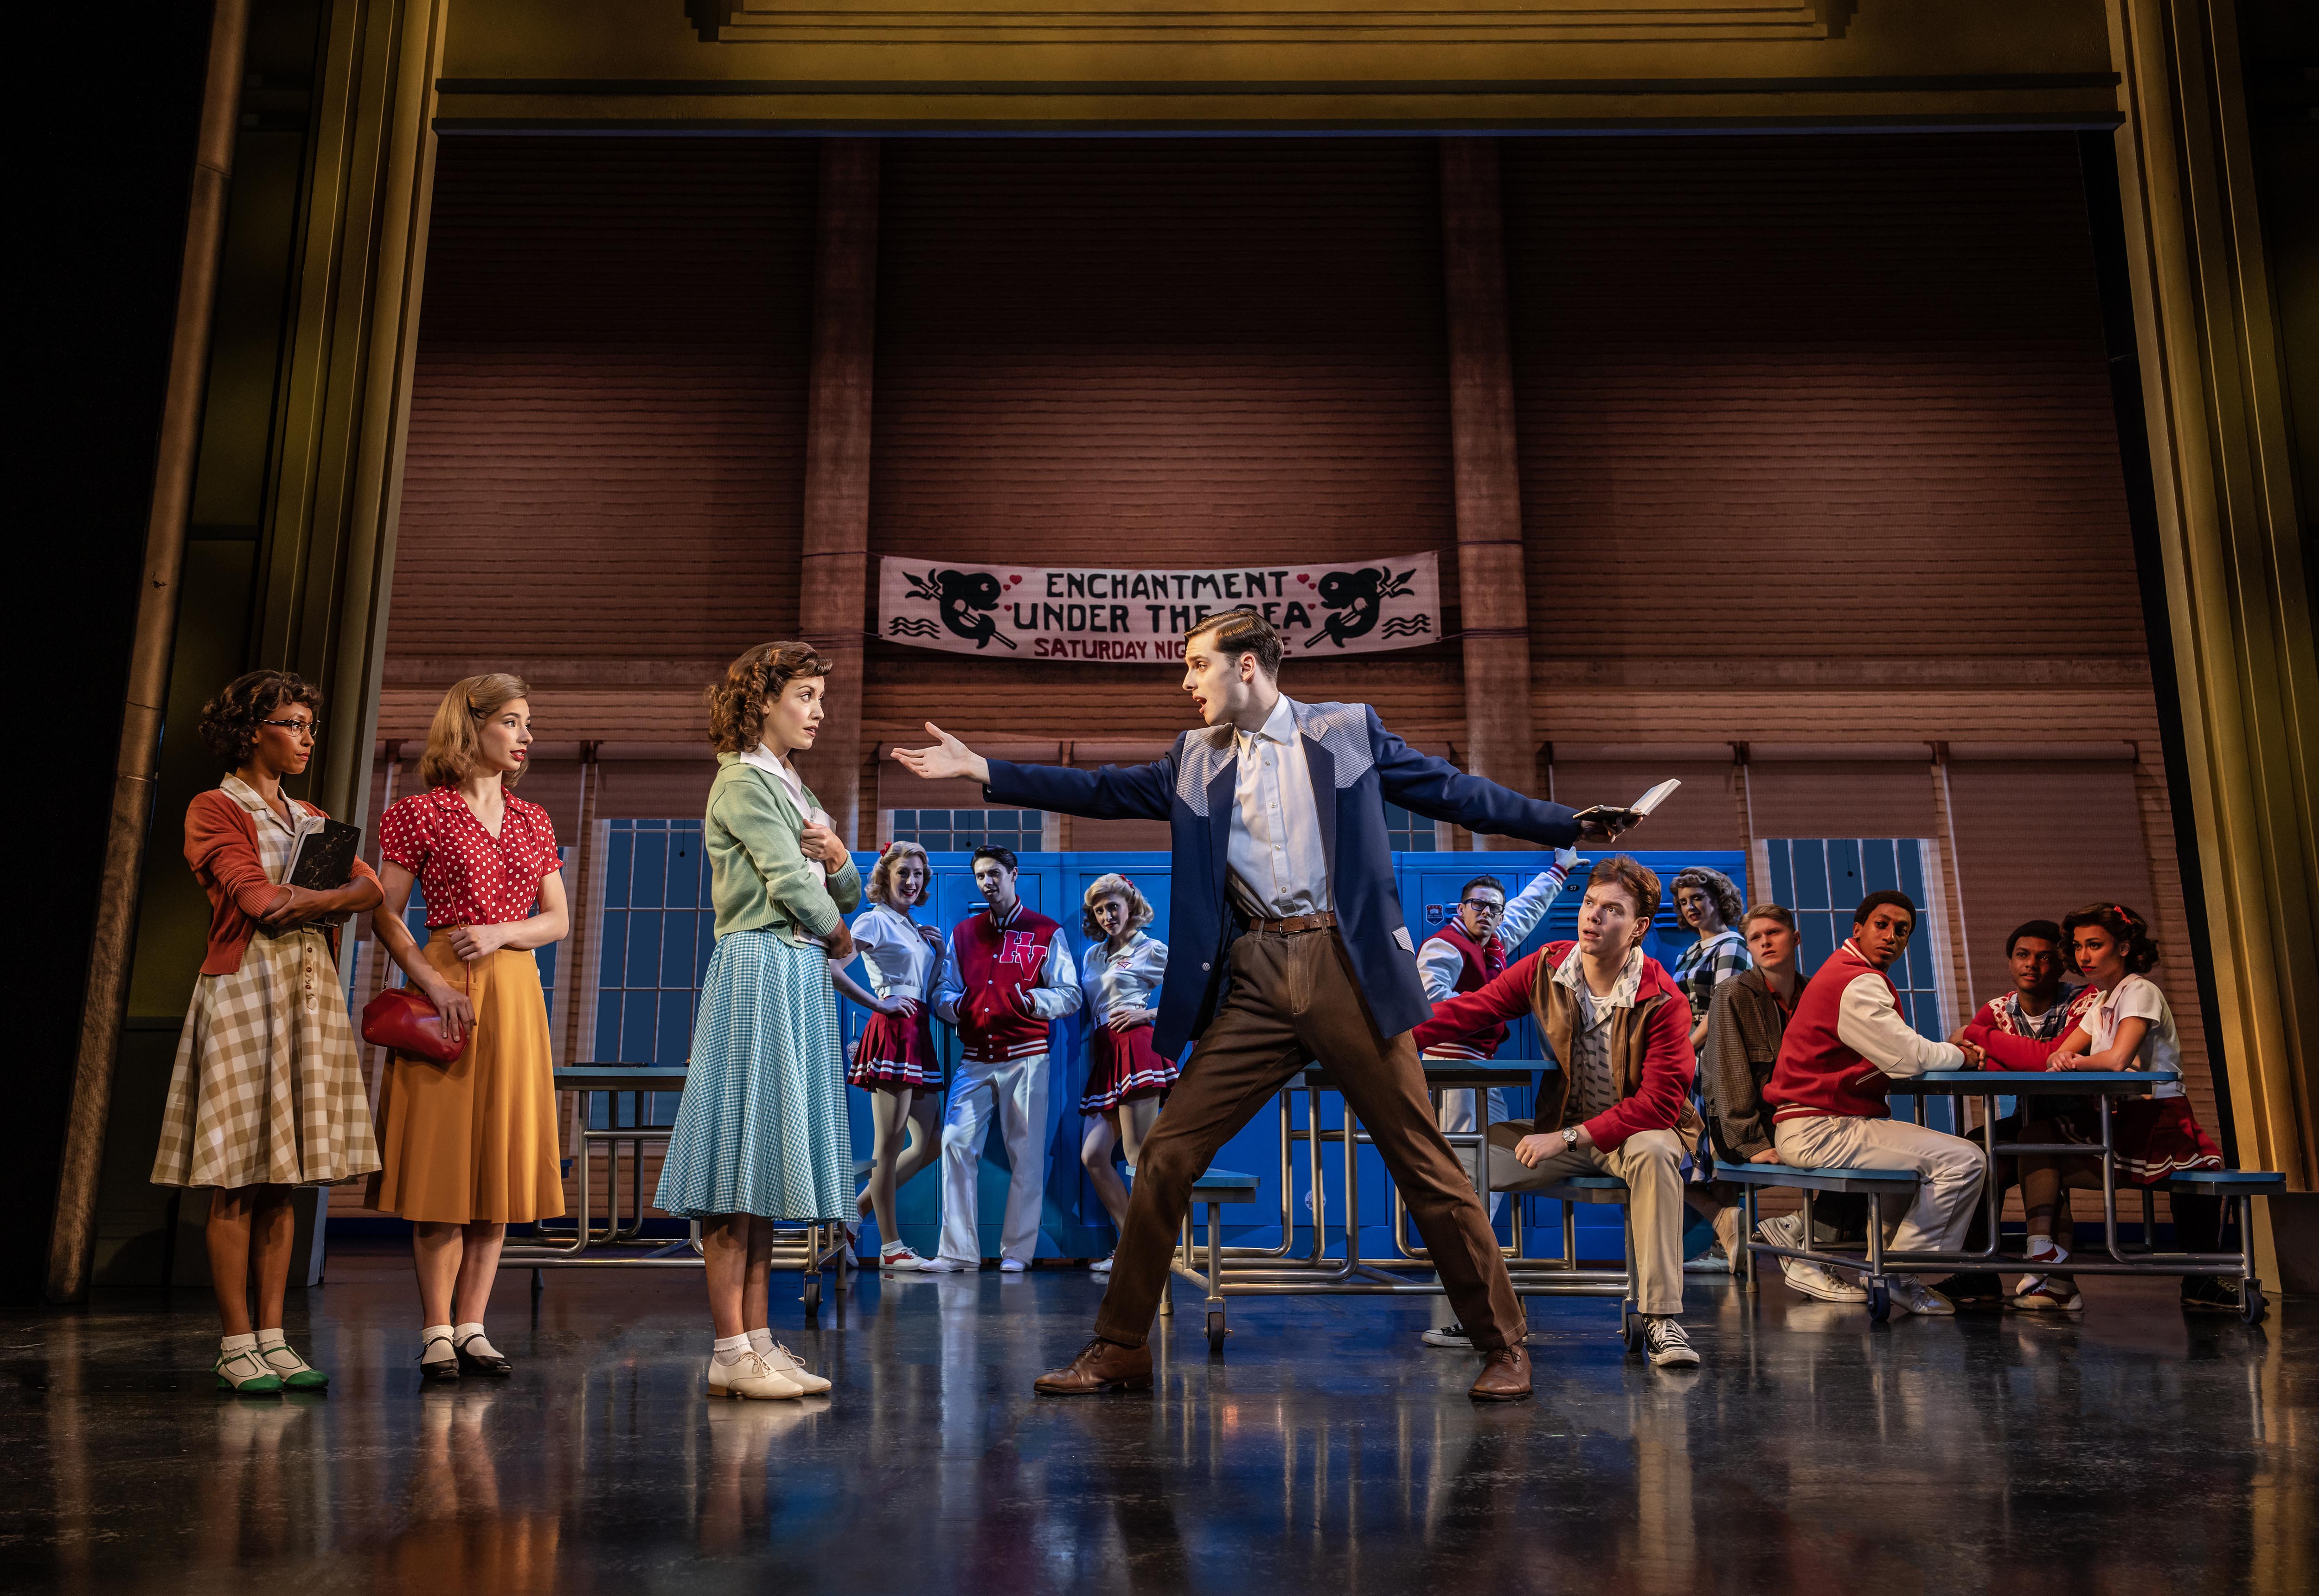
{"x":1622,"y":1101}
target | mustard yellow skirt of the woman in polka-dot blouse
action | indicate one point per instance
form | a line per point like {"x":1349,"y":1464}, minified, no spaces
{"x":474,"y":1142}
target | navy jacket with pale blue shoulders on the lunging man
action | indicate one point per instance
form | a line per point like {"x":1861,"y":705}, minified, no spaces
{"x":1358,"y":769}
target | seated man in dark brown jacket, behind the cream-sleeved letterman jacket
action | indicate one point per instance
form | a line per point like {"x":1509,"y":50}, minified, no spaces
{"x":1745,"y":1024}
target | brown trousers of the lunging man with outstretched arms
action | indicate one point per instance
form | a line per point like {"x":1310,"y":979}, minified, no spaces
{"x":1295,"y":1001}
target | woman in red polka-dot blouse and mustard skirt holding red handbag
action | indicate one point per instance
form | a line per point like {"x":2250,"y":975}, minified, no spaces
{"x":472,"y":1147}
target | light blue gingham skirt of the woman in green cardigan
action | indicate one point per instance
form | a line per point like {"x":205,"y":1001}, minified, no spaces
{"x":764,"y":1119}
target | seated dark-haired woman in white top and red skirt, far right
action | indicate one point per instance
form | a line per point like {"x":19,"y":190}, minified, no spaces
{"x":2128,"y":1026}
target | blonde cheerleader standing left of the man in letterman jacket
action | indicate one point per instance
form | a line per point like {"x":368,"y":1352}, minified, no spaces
{"x":896,"y":1061}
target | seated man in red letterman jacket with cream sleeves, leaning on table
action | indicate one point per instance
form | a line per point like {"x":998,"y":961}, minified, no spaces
{"x":1840,"y":1057}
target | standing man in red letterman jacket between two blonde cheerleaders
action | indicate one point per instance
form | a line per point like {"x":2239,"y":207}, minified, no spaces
{"x":1010,"y":973}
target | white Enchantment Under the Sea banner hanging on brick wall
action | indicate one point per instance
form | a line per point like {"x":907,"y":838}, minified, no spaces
{"x":1137,"y":616}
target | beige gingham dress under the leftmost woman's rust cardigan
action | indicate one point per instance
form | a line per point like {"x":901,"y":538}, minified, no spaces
{"x":268,"y":1084}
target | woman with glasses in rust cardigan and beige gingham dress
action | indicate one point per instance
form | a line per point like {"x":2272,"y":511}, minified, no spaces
{"x":268,"y":1084}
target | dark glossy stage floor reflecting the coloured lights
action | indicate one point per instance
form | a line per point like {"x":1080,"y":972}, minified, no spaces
{"x":1328,"y":1451}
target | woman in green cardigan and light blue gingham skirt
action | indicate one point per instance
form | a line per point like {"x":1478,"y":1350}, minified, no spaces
{"x":762,"y":1133}
